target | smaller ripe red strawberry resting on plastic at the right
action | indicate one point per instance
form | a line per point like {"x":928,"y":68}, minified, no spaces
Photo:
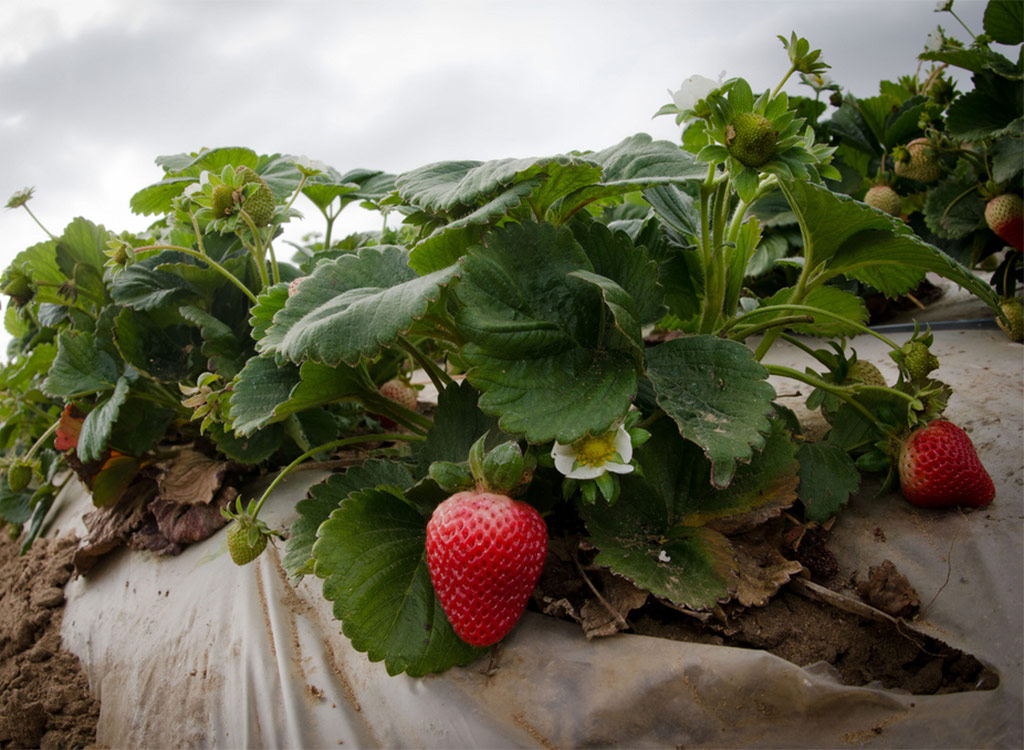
{"x":940,"y":467}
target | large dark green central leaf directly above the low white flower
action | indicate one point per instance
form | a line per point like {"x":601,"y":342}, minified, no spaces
{"x":536,"y":349}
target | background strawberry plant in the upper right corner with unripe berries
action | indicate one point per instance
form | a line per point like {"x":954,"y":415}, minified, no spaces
{"x":955,"y":159}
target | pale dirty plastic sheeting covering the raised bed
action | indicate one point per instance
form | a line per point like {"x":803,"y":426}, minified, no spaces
{"x":195,"y":652}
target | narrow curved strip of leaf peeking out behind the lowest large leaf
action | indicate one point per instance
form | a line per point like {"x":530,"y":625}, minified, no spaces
{"x":325,"y":497}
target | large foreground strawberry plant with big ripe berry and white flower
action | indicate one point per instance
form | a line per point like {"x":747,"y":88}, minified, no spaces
{"x":585,"y":319}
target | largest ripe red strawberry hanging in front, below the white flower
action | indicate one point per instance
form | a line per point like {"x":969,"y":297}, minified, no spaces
{"x":485,"y":554}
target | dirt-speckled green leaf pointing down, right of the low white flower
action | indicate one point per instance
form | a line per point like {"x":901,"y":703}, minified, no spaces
{"x":718,"y":396}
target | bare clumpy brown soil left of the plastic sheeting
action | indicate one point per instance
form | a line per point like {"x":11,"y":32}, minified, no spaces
{"x":45,"y":695}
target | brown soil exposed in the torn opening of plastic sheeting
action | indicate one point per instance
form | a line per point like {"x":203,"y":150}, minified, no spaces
{"x":861,"y":629}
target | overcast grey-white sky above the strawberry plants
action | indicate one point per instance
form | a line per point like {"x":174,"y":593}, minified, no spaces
{"x":92,"y":92}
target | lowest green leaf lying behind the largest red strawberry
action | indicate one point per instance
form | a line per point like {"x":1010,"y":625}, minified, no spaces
{"x":372,"y":557}
